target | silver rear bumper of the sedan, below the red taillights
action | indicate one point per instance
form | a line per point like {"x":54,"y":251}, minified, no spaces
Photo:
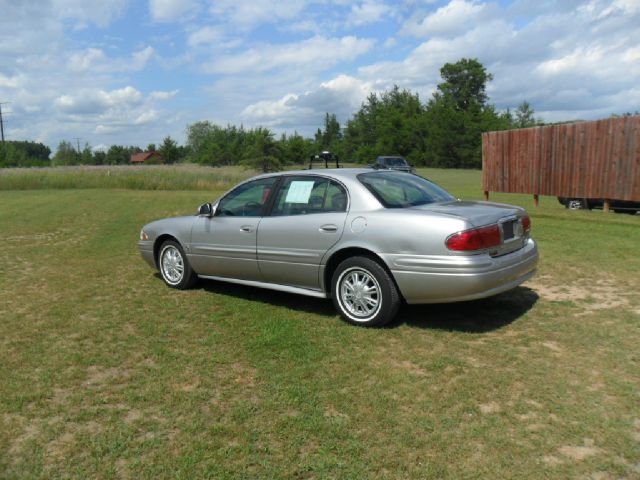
{"x":443,"y":279}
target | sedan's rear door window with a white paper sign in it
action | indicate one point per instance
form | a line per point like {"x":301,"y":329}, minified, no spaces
{"x":307,"y":195}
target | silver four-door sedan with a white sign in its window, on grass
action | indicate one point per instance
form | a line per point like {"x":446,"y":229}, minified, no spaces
{"x":367,"y":239}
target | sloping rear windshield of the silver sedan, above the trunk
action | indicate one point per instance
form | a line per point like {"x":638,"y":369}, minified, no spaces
{"x":403,"y":190}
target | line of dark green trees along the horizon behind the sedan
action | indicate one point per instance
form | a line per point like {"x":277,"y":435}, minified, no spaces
{"x":444,"y":131}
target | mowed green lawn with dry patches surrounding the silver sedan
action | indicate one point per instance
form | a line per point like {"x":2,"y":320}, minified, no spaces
{"x":107,"y":373}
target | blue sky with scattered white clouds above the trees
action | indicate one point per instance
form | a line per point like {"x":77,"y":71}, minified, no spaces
{"x":131,"y":72}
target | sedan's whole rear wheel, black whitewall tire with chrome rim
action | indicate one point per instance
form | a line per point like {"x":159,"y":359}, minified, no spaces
{"x":364,"y":293}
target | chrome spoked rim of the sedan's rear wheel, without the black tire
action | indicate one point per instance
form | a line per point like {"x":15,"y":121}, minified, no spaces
{"x":359,"y":294}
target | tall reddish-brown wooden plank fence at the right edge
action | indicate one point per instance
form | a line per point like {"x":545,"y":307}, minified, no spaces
{"x":598,"y":159}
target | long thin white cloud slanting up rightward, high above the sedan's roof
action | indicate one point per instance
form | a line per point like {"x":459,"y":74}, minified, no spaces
{"x":314,"y":54}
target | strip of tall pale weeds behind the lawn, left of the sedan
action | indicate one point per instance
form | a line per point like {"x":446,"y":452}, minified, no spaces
{"x":178,"y":177}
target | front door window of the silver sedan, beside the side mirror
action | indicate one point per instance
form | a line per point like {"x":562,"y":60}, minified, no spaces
{"x":247,"y":200}
